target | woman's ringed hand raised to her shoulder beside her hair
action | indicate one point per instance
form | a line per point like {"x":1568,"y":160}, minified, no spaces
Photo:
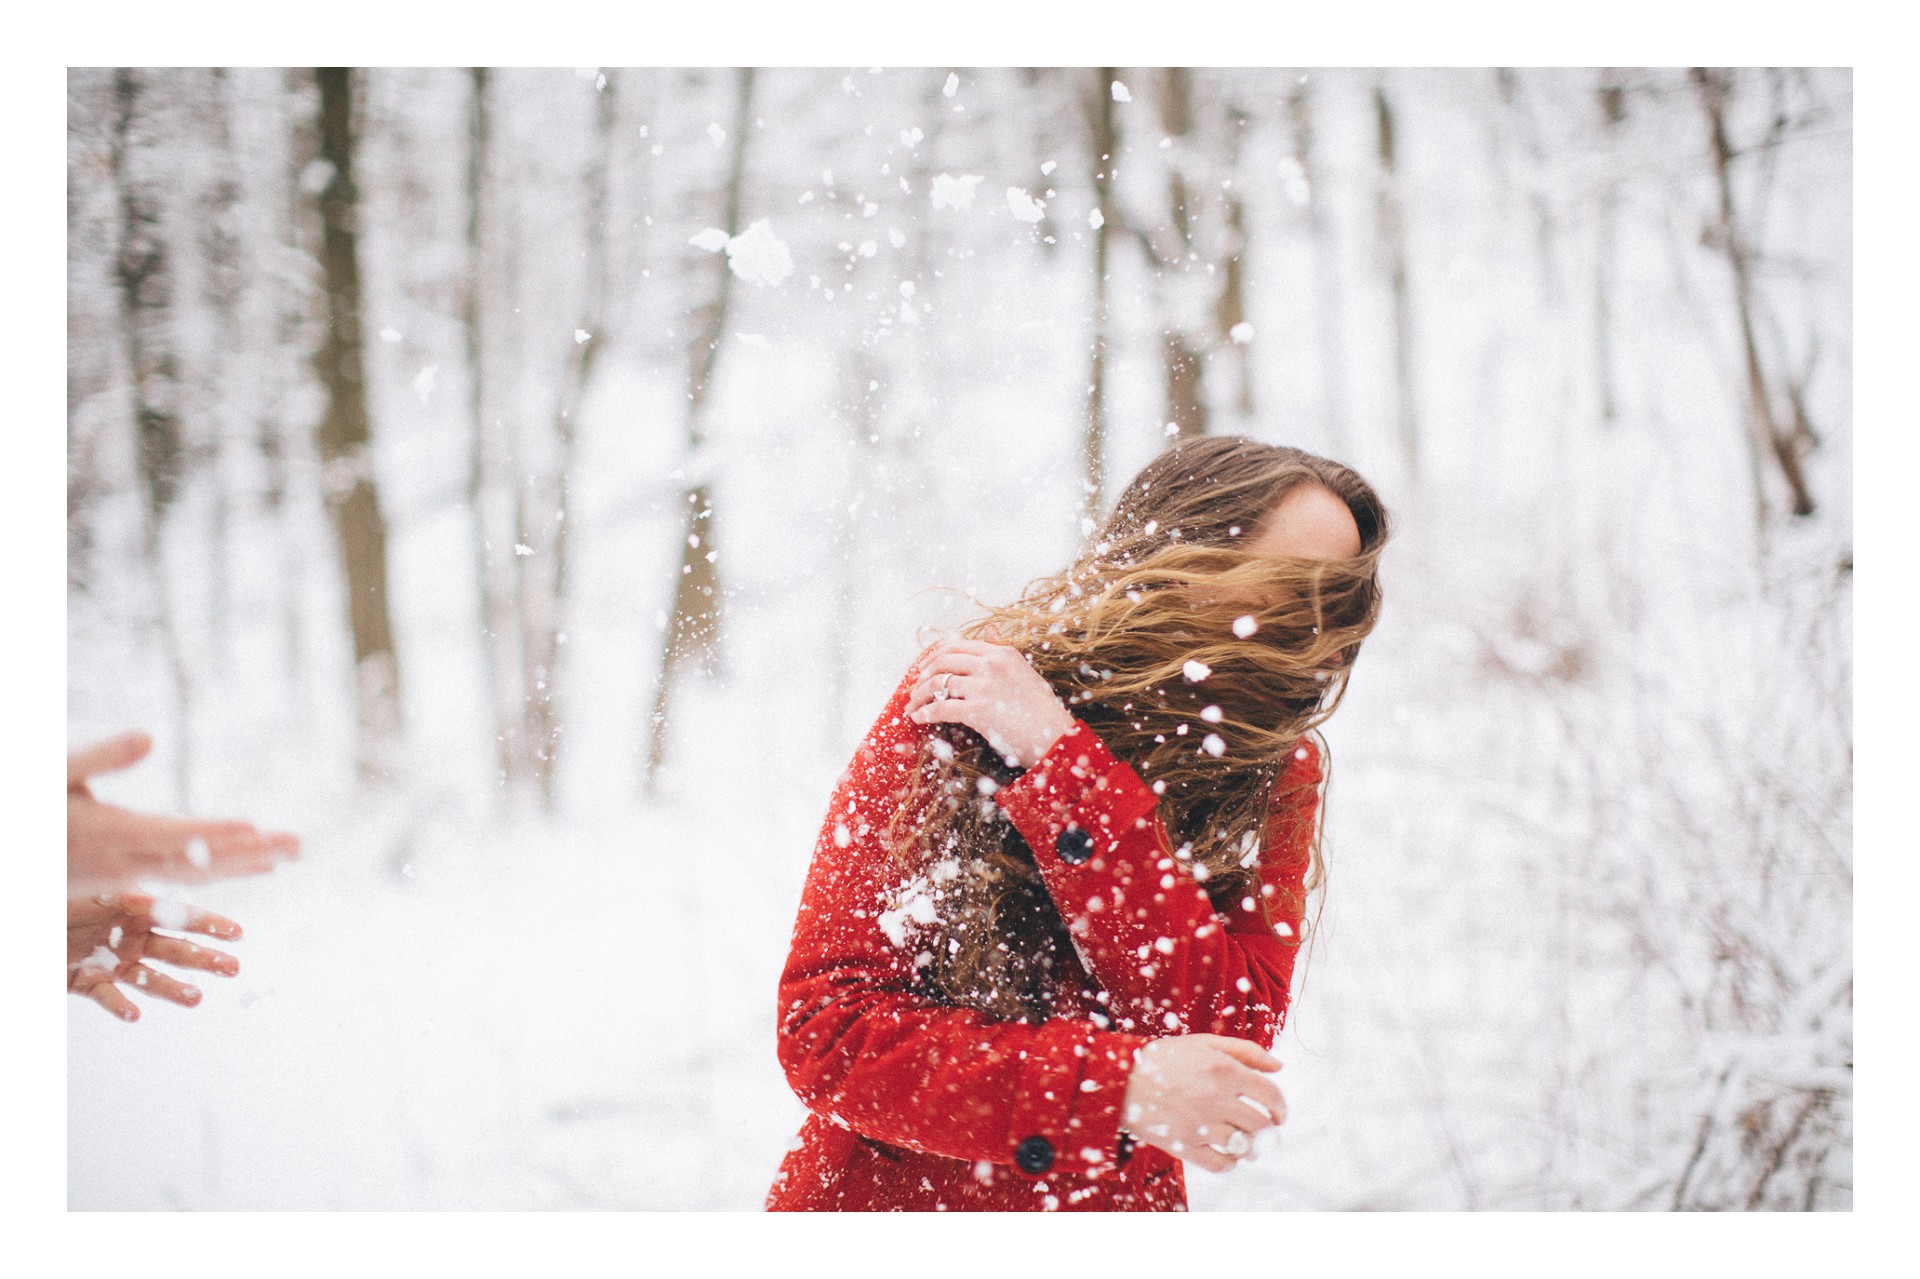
{"x":996,"y":692}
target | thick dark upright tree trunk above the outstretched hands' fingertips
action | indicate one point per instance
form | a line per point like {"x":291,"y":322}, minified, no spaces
{"x":345,"y":439}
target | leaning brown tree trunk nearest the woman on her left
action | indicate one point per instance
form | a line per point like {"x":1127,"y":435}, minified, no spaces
{"x":694,"y":629}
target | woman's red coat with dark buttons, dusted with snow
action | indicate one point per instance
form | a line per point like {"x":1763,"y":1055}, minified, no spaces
{"x":921,"y":1105}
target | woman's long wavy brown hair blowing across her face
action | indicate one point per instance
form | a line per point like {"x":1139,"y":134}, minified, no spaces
{"x":1197,"y":662}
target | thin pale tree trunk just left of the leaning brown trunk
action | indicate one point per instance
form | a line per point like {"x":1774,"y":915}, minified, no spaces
{"x":544,"y":615}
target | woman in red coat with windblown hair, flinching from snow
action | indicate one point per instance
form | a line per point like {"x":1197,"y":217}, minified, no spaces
{"x":1055,"y":907}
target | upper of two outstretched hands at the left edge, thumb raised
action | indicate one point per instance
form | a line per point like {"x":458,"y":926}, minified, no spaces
{"x":110,"y":848}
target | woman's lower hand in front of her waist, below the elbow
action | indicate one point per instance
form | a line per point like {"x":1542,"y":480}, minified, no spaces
{"x":1203,"y":1098}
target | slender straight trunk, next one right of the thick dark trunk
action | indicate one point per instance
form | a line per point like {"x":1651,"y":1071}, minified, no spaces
{"x":492,"y":575}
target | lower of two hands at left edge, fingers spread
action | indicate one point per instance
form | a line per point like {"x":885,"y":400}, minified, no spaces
{"x":110,"y":938}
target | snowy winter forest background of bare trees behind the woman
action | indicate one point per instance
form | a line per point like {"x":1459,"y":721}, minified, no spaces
{"x":529,"y":485}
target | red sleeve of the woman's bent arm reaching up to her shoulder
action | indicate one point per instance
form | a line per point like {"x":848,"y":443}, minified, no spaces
{"x":1147,"y":932}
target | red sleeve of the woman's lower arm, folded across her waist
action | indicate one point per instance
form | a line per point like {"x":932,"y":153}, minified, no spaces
{"x":867,"y":1050}
